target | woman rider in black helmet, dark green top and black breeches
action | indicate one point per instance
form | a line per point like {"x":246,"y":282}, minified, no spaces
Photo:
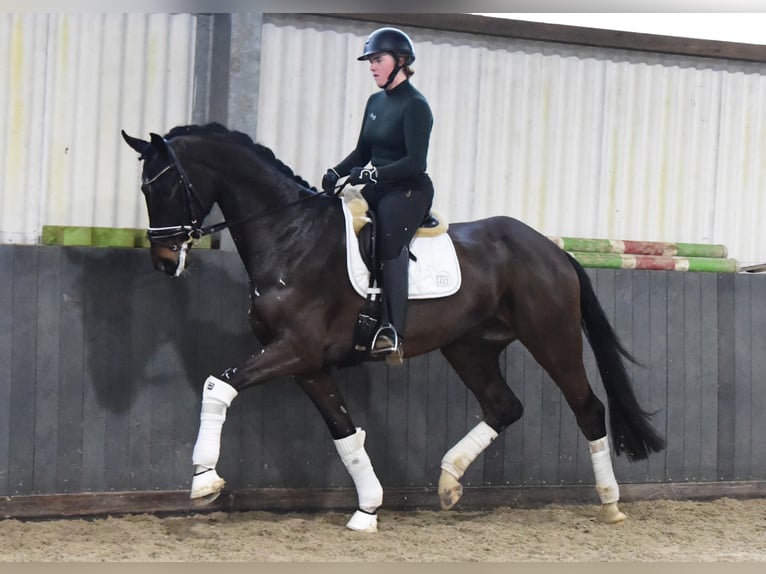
{"x":394,"y":139}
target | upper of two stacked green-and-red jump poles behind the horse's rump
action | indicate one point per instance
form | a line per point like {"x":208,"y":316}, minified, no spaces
{"x":660,"y":248}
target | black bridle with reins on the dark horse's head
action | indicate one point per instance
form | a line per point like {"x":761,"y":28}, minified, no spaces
{"x":192,"y":230}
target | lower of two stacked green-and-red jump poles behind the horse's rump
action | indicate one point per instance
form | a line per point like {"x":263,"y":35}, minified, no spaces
{"x":655,"y":262}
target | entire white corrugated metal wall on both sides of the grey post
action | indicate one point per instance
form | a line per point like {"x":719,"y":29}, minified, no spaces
{"x":575,"y":141}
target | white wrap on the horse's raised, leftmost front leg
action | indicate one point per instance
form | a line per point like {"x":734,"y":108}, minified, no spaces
{"x":216,"y":398}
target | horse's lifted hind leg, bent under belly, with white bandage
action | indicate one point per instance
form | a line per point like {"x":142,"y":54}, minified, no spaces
{"x":478,"y":366}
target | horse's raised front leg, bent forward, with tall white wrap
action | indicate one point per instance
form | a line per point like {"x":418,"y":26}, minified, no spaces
{"x":277,"y":359}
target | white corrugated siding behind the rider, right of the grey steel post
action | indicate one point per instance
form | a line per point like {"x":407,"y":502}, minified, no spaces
{"x":574,"y":141}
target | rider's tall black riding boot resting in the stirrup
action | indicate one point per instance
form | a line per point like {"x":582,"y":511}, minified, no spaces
{"x":389,"y":338}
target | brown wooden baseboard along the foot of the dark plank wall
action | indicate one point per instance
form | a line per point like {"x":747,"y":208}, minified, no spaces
{"x":314,"y":500}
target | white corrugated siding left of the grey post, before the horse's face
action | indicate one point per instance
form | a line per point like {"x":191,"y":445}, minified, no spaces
{"x":69,"y":83}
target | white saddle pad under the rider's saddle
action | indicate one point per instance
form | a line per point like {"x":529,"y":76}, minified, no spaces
{"x":436,"y":273}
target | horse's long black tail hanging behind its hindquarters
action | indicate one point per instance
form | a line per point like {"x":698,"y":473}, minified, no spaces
{"x":631,"y":430}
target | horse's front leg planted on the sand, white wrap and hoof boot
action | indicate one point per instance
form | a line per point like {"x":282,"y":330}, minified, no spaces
{"x":349,"y":442}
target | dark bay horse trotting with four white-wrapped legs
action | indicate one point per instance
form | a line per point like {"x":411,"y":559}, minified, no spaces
{"x":516,"y":285}
